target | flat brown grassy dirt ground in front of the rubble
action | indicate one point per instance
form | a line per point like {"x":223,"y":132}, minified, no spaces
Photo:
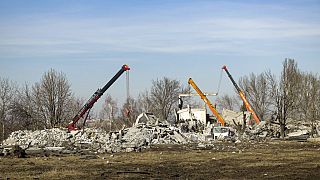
{"x":252,"y":160}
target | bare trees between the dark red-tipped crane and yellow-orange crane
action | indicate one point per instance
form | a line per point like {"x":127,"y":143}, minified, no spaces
{"x":161,"y":100}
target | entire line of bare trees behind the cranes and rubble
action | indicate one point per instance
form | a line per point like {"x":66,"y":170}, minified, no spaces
{"x":295,"y":95}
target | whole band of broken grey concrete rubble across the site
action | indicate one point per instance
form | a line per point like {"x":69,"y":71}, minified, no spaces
{"x":147,"y":131}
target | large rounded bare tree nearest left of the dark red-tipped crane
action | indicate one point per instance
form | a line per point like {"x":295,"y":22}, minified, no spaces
{"x":51,"y":97}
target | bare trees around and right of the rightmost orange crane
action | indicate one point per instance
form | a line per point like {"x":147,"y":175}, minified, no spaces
{"x":295,"y":95}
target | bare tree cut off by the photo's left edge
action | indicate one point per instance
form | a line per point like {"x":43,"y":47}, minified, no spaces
{"x":7,"y":93}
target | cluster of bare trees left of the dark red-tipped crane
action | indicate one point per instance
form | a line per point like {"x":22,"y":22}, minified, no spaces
{"x":46,"y":104}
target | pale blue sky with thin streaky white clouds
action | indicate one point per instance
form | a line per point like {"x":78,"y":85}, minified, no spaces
{"x":90,"y":40}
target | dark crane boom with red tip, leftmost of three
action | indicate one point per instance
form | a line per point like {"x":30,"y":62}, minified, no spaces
{"x":94,"y":98}
